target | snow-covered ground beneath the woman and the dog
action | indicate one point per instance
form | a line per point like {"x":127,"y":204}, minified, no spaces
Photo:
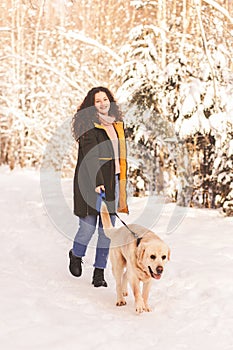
{"x":43,"y":307}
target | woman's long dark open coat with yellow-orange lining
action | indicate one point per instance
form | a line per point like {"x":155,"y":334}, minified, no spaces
{"x":95,"y":167}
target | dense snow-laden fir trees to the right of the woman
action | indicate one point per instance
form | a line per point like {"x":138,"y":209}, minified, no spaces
{"x":186,"y":96}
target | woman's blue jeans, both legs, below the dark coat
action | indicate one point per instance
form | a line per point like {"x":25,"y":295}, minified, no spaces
{"x":87,"y":227}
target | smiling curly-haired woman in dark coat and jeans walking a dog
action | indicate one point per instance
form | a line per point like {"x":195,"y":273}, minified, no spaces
{"x":101,"y":166}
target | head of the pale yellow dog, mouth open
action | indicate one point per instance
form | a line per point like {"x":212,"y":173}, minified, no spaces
{"x":152,"y":256}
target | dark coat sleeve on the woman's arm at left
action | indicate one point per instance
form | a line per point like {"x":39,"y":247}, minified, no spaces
{"x":90,"y":149}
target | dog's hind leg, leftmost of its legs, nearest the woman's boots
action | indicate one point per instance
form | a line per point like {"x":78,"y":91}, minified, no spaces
{"x":118,"y":264}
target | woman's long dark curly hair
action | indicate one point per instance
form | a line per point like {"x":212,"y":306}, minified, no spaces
{"x":86,"y":114}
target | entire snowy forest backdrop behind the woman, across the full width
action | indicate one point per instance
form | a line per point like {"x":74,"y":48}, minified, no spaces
{"x":168,"y":62}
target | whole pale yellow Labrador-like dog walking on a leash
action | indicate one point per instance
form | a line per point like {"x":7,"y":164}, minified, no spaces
{"x":134,"y":260}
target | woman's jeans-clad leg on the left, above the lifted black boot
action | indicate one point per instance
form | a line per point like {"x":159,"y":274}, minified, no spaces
{"x":87,"y":226}
